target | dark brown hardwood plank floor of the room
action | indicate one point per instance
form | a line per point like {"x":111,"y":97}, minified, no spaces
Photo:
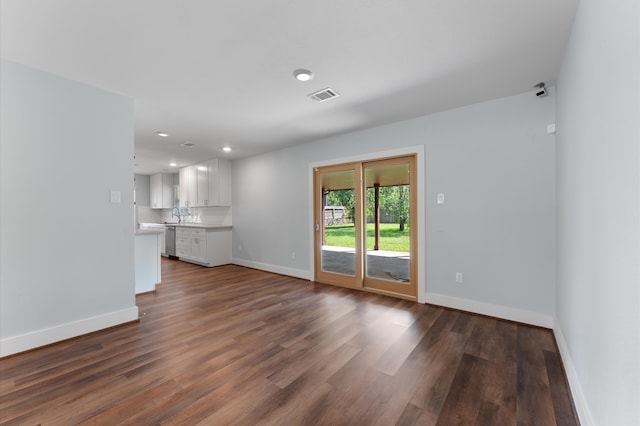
{"x":231,"y":345}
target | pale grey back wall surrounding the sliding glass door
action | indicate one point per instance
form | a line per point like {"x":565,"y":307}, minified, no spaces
{"x":495,"y":163}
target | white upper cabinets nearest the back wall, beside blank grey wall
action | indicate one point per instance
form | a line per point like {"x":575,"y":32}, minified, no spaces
{"x":206,"y":184}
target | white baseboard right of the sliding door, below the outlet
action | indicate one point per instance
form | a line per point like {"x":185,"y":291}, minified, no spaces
{"x":498,"y":311}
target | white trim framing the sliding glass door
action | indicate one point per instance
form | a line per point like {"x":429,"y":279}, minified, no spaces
{"x":418,"y":151}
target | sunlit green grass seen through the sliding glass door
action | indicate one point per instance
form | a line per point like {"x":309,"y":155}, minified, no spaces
{"x":391,"y":238}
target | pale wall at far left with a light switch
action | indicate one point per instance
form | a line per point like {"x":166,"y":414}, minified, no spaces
{"x":64,"y":146}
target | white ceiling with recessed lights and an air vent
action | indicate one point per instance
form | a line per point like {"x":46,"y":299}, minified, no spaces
{"x":218,"y":73}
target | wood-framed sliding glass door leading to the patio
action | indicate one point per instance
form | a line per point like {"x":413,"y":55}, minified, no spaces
{"x":365,"y":235}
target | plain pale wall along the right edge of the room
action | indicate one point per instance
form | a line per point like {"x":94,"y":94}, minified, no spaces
{"x":598,"y":212}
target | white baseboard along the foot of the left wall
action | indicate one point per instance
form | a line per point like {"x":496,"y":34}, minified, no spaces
{"x":35,"y":339}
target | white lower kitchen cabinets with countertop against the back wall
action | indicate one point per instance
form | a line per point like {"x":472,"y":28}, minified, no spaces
{"x":208,"y":247}
